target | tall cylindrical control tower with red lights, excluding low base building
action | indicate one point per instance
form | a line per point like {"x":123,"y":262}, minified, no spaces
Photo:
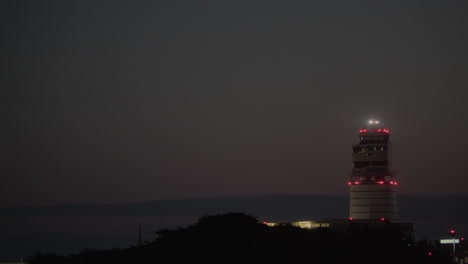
{"x":372,"y":183}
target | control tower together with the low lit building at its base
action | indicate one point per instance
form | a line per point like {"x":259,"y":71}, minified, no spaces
{"x":372,"y":186}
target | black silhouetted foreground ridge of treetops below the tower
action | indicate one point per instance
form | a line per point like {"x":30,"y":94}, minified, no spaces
{"x":235,"y":237}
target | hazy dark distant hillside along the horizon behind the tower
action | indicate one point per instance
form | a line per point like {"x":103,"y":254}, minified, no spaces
{"x":72,"y":227}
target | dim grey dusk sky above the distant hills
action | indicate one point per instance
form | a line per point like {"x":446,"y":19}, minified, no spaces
{"x":110,"y":101}
